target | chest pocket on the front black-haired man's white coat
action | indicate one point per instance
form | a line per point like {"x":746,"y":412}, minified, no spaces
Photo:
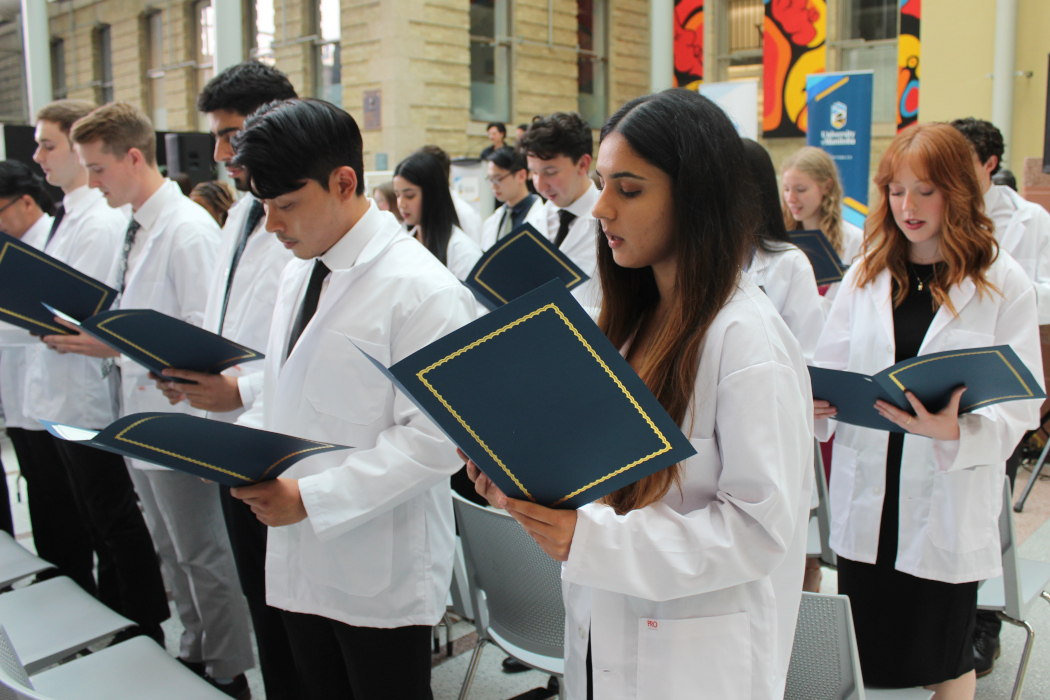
{"x":359,"y":392}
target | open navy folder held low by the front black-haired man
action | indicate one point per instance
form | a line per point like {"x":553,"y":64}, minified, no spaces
{"x":224,"y":453}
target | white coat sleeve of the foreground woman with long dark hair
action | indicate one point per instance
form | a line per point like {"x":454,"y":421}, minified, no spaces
{"x":744,"y":534}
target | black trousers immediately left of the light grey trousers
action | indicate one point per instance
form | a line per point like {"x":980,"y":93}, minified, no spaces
{"x":130,"y":571}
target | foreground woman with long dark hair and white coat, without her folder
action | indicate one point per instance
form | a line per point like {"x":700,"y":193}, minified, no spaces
{"x":691,"y":578}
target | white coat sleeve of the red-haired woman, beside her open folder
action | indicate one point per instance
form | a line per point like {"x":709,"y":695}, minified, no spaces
{"x":990,"y":436}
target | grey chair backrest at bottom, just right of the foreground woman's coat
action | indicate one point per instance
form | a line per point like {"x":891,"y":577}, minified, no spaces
{"x":825,"y":663}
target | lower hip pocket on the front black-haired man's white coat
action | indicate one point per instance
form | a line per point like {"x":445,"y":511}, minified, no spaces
{"x":359,"y":563}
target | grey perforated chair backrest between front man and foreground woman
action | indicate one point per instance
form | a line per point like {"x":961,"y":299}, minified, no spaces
{"x":516,"y":588}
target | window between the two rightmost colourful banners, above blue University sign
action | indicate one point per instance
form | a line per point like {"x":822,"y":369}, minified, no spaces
{"x":870,"y":44}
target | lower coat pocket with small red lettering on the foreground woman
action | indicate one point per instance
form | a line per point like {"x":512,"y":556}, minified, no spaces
{"x":702,"y":657}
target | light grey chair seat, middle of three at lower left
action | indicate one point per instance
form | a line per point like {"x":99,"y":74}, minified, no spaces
{"x":54,"y":620}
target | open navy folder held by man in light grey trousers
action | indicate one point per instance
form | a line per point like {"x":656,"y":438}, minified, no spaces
{"x":158,"y":342}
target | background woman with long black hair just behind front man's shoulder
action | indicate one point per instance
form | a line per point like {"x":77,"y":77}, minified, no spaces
{"x":430,"y":215}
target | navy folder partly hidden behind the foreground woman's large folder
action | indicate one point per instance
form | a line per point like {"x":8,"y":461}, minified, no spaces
{"x":518,"y":264}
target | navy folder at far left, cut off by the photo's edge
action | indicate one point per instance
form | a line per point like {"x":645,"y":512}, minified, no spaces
{"x":30,"y":278}
